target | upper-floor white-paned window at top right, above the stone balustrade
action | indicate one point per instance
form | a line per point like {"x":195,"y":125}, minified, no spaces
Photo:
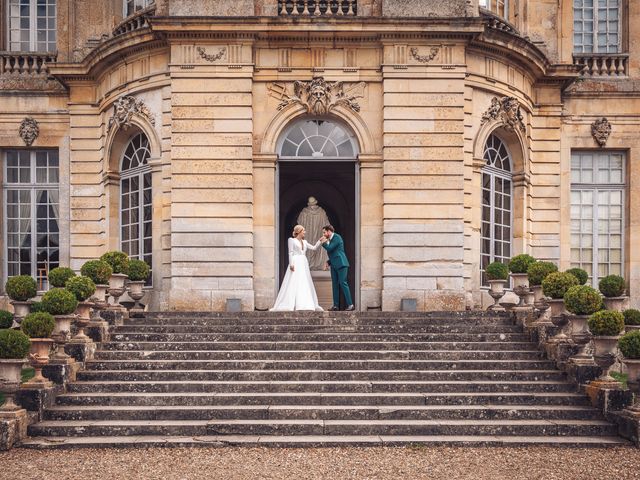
{"x":596,"y":26}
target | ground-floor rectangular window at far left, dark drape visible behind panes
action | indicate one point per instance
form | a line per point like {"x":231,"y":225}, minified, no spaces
{"x":31,"y":199}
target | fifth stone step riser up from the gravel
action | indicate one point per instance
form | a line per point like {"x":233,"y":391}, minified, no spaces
{"x":311,"y":387}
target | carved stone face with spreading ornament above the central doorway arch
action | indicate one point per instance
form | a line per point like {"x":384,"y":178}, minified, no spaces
{"x":318,"y":96}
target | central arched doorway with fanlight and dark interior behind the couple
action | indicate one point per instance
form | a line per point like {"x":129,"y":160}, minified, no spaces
{"x":317,"y":157}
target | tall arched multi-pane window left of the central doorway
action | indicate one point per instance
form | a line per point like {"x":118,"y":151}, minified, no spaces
{"x":136,"y":200}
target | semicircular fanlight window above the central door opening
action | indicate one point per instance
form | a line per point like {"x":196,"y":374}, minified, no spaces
{"x":318,"y":139}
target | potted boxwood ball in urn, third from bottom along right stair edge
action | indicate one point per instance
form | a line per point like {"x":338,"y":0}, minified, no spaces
{"x":581,"y":301}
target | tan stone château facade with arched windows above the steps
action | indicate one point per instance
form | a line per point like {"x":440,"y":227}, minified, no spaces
{"x":438,"y":136}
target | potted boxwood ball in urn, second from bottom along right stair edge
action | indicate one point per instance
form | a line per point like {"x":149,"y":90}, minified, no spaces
{"x":606,"y":326}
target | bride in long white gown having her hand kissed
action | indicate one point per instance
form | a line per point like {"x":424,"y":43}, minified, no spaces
{"x":297,"y":291}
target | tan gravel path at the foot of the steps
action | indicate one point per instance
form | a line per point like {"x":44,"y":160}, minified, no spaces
{"x":330,"y":463}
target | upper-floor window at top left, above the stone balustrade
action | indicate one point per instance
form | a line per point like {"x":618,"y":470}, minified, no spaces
{"x":32,"y":25}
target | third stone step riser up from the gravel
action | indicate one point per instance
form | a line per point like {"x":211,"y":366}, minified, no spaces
{"x":293,"y":413}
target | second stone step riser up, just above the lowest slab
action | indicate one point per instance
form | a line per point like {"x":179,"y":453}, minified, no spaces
{"x":320,"y":428}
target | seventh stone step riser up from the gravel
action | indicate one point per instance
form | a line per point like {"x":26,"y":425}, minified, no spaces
{"x":234,"y":364}
